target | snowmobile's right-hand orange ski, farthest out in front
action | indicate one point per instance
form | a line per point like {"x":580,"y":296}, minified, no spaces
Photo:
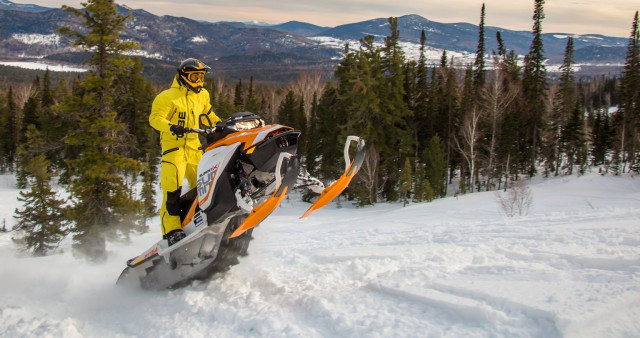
{"x":351,"y":168}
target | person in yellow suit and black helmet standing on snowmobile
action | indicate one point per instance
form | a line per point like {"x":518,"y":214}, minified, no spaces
{"x":172,"y":113}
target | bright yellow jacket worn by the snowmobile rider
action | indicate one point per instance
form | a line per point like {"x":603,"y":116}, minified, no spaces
{"x":178,"y":105}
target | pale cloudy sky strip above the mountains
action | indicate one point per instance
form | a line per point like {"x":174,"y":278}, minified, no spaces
{"x":607,"y":17}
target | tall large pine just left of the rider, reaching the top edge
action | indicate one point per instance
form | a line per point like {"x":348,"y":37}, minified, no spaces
{"x":103,"y":204}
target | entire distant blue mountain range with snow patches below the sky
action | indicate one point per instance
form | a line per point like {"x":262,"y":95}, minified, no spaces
{"x":274,"y":53}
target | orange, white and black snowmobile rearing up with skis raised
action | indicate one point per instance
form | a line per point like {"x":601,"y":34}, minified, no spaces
{"x":246,"y":170}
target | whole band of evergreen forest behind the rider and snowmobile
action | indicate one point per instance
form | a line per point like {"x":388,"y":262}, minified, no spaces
{"x":430,"y":131}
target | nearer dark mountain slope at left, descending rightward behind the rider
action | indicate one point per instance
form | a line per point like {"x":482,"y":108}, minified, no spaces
{"x":164,"y":40}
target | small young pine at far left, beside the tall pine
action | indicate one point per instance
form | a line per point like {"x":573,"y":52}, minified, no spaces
{"x":42,"y":218}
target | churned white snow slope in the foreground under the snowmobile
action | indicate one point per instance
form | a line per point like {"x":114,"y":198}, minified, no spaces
{"x":456,"y":267}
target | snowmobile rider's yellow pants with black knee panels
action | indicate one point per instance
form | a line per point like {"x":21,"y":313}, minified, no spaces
{"x":177,"y":163}
